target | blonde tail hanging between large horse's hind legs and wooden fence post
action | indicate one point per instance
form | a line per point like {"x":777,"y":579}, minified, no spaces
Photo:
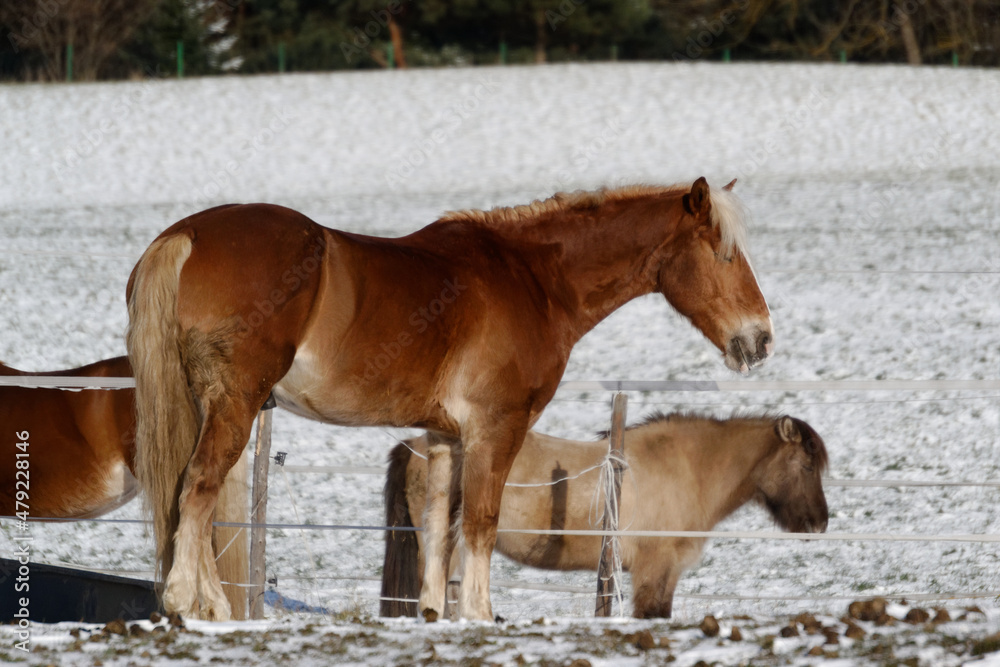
{"x":232,"y":550}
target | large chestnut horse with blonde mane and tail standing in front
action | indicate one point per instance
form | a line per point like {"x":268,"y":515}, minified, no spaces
{"x":463,"y":328}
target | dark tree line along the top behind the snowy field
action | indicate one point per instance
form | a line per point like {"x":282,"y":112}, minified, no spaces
{"x":49,"y":40}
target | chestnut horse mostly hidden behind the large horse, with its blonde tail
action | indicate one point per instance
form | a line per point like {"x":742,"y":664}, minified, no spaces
{"x":81,"y":448}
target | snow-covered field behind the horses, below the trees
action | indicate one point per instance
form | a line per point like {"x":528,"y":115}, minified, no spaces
{"x":875,"y":211}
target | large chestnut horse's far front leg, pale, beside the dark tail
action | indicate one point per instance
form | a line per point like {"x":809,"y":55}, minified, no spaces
{"x":438,"y":540}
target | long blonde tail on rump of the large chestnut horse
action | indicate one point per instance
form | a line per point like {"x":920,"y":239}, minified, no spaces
{"x":167,"y":421}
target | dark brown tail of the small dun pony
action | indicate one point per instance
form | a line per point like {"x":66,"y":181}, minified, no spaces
{"x":400,"y":571}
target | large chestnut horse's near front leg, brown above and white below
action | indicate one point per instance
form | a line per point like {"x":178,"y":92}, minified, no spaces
{"x":486,"y":462}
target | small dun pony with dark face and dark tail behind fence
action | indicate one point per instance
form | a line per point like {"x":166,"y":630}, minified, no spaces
{"x":687,"y":473}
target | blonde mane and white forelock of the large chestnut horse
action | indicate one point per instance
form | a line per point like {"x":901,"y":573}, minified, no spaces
{"x":728,"y":212}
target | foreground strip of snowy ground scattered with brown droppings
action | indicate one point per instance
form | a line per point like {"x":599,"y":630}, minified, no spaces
{"x":311,"y":640}
